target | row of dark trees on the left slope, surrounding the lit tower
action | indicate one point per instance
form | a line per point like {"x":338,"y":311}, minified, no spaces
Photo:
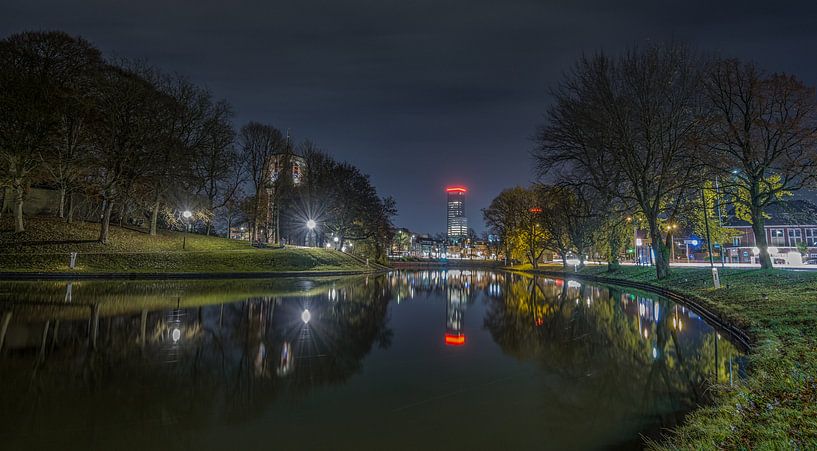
{"x":123,"y":143}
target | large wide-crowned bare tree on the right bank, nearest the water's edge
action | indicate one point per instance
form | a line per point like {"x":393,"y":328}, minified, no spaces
{"x":639,"y":115}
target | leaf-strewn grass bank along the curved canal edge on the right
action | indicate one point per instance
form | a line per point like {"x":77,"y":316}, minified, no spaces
{"x":776,"y":407}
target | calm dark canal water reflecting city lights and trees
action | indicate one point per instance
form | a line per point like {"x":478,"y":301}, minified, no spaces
{"x":451,"y":360}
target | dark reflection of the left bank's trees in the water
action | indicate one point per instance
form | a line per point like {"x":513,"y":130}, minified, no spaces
{"x":219,"y":366}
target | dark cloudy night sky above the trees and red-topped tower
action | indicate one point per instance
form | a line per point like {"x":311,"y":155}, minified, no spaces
{"x":419,"y":94}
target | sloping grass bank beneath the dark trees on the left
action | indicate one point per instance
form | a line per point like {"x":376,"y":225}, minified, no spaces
{"x":45,"y":245}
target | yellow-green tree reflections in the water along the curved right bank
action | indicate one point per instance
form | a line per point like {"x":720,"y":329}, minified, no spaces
{"x":623,"y":350}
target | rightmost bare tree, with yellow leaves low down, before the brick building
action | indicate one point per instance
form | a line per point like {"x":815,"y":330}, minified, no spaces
{"x":762,"y":138}
